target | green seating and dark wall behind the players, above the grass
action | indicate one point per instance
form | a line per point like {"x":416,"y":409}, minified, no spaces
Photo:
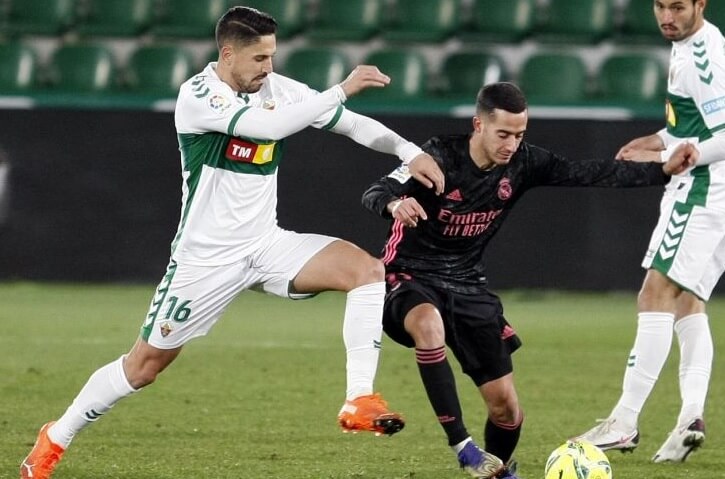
{"x":89,"y":182}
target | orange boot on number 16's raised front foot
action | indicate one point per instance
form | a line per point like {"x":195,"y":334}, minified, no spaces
{"x":369,"y":413}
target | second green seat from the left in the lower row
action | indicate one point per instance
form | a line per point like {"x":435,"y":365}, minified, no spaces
{"x":82,"y":68}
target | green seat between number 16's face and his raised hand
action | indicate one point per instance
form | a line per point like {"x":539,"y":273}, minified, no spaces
{"x":319,"y":68}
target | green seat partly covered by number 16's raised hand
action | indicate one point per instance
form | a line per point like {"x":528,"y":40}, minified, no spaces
{"x":407,"y":69}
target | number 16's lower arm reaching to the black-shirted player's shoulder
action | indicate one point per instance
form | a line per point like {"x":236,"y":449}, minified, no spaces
{"x":374,"y":135}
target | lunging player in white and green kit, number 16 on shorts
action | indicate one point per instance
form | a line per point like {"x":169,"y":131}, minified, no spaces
{"x":231,"y":120}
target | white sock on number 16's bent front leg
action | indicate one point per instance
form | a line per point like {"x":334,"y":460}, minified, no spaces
{"x":362,"y":331}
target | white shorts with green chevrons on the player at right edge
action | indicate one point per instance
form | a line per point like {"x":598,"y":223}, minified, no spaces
{"x":688,"y":243}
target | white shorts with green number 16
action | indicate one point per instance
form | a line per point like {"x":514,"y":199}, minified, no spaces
{"x":191,"y":299}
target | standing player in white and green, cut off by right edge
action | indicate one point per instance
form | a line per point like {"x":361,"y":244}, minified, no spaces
{"x":686,"y":254}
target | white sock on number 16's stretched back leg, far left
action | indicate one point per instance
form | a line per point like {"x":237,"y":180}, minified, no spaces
{"x":104,"y":388}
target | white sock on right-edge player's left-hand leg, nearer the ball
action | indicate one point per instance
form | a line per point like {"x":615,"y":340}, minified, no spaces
{"x":649,"y":353}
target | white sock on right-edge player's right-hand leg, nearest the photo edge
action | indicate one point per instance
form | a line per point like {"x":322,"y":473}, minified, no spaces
{"x":696,"y":352}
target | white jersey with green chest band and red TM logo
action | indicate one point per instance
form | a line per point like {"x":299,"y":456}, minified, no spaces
{"x":230,"y":153}
